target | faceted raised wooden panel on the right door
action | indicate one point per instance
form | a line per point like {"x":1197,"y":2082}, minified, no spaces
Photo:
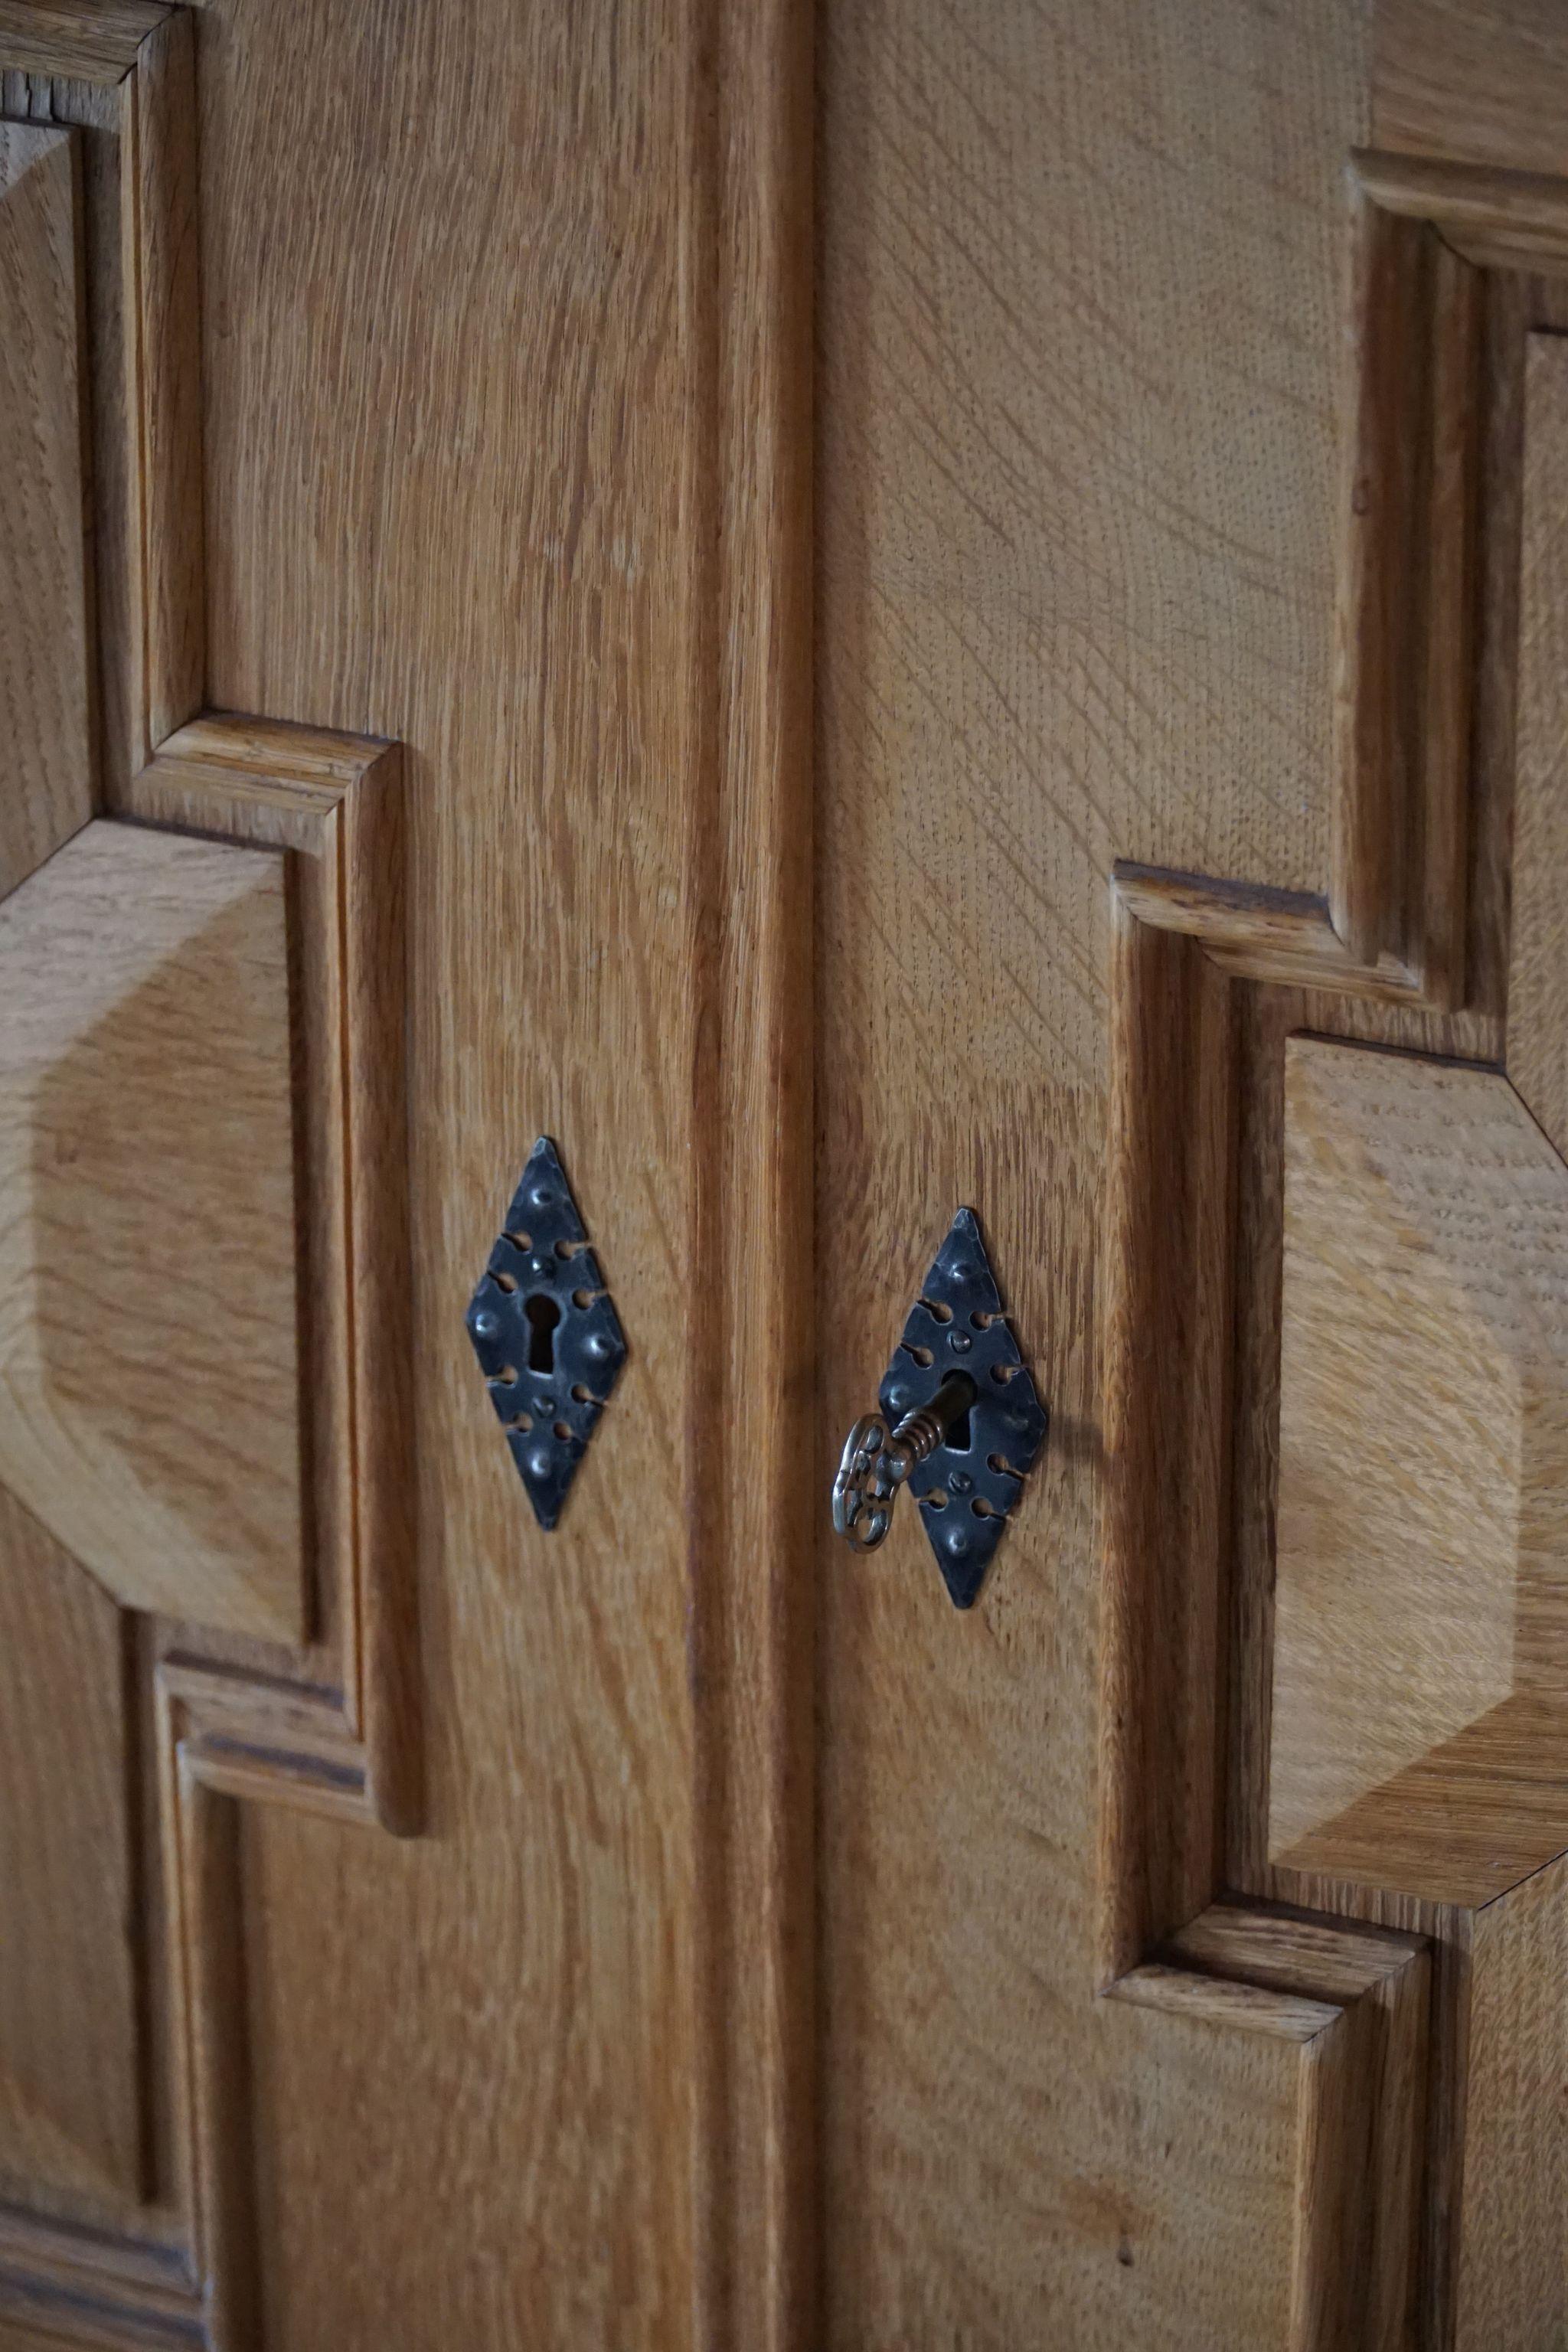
{"x":1419,"y":1619}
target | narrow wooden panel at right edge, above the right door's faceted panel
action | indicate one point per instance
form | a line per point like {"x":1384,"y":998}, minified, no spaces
{"x":1539,"y":1031}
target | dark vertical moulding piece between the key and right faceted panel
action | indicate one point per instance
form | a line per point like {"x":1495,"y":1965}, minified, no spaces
{"x":1165,"y":1349}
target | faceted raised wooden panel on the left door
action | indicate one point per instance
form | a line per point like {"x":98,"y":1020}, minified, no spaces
{"x":149,"y":1375}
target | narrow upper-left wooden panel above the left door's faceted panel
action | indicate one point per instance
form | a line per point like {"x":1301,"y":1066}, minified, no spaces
{"x":46,"y":629}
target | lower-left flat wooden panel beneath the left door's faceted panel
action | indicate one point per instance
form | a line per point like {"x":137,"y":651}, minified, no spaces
{"x":69,"y":1923}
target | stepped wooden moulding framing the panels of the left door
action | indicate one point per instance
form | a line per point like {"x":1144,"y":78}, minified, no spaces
{"x":333,"y":1728}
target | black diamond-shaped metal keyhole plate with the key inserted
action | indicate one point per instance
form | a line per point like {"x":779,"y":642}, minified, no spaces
{"x":972,"y":1483}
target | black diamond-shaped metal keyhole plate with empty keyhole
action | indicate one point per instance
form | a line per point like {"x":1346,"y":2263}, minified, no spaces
{"x":547,"y":1335}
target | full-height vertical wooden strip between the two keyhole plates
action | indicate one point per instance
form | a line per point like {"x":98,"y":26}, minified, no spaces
{"x":746,"y":326}
